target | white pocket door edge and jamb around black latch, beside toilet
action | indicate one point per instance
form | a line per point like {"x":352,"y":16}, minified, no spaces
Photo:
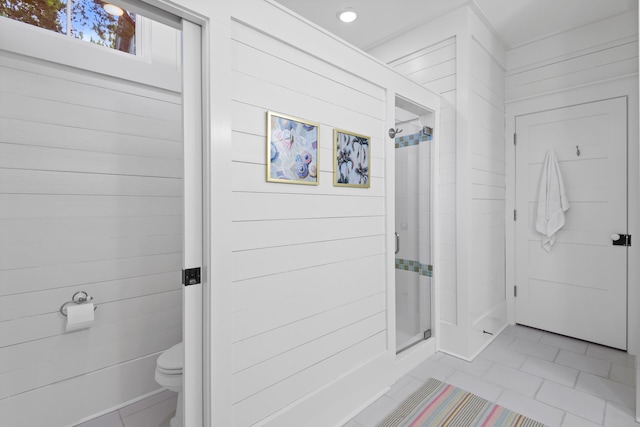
{"x":196,"y":237}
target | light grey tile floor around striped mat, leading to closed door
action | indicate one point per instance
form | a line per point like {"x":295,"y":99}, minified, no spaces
{"x":556,"y":380}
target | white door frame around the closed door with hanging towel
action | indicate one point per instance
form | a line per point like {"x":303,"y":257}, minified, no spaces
{"x":626,"y":86}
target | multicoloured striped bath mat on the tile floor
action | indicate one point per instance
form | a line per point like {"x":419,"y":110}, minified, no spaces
{"x":437,"y":404}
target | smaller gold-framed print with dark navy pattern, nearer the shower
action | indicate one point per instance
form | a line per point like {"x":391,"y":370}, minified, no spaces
{"x":351,"y":159}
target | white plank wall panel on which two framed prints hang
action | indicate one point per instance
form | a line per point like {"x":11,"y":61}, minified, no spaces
{"x":309,"y":301}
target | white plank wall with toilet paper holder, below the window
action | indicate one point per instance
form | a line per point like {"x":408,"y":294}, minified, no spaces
{"x":91,"y":200}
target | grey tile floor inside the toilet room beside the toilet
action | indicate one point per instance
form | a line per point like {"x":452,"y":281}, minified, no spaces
{"x":155,"y":411}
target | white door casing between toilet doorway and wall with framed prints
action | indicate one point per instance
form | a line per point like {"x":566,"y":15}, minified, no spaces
{"x":214,"y":18}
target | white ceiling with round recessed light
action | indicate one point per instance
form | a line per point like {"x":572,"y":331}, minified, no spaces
{"x":515,"y":22}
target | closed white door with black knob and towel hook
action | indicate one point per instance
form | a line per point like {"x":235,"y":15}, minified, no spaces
{"x":579,"y":288}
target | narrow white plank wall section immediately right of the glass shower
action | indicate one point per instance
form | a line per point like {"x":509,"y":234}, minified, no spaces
{"x":434,"y":67}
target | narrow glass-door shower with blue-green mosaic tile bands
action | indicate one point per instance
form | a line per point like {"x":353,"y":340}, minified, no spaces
{"x":413,"y":270}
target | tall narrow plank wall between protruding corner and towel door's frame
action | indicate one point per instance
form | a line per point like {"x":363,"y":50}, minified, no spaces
{"x":488,"y":185}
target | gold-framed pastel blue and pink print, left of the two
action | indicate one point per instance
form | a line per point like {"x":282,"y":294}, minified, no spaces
{"x":292,"y":150}
